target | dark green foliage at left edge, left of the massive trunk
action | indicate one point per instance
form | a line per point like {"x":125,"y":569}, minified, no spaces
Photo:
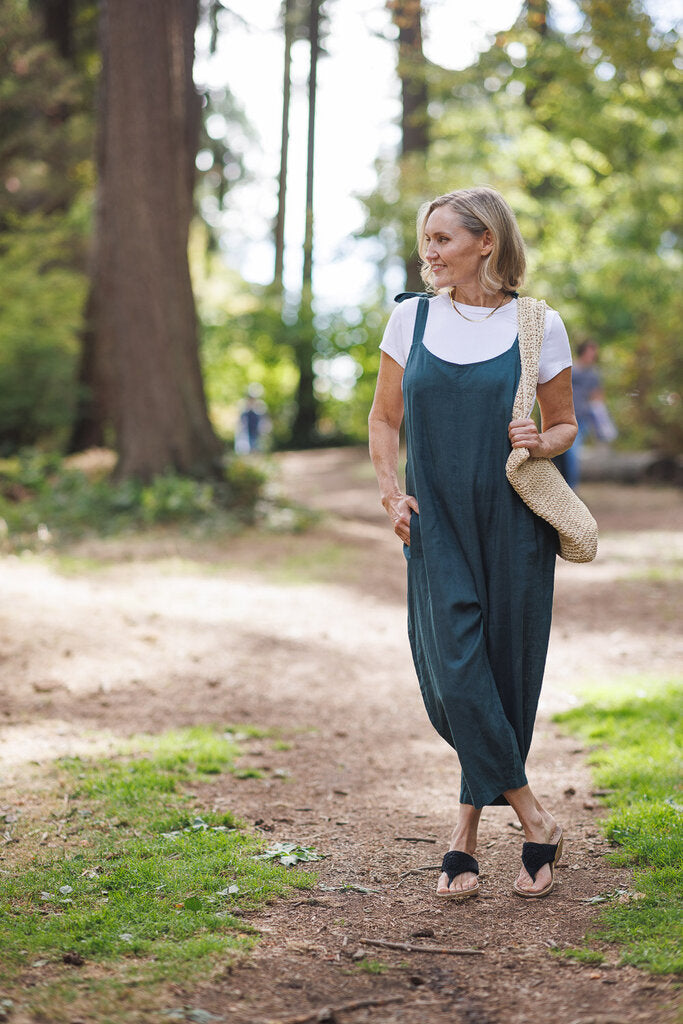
{"x":47,"y":133}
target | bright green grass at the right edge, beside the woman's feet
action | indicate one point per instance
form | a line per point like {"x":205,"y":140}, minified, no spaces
{"x":638,"y":738}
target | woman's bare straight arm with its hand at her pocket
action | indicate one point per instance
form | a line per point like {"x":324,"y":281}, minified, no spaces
{"x":385,"y":422}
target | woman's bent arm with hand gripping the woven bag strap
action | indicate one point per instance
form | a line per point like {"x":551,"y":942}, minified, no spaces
{"x":559,"y":423}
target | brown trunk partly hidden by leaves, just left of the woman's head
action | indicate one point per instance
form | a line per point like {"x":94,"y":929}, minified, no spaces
{"x":407,"y":16}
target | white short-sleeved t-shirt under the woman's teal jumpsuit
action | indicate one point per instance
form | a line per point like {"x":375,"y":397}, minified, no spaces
{"x":457,"y":340}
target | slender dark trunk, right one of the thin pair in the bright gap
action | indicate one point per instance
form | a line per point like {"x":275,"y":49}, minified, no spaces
{"x":304,"y":431}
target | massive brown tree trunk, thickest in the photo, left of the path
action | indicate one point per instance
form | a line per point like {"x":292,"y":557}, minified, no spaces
{"x":145,"y":319}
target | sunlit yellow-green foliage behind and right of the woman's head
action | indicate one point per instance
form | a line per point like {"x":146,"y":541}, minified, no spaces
{"x":580,"y":133}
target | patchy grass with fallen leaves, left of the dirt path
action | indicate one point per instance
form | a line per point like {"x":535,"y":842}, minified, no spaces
{"x":150,"y":887}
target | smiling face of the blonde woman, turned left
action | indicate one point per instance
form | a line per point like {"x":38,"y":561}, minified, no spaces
{"x":454,"y":253}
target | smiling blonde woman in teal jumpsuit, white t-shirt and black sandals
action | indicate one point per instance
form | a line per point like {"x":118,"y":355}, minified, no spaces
{"x":481,"y":565}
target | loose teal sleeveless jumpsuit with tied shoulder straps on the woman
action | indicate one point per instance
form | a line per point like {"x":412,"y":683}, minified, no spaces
{"x":481,"y":567}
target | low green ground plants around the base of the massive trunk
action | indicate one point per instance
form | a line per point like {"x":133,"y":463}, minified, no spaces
{"x":42,"y":500}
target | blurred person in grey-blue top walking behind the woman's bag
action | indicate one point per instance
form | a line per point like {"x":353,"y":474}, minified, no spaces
{"x":592,"y":415}
